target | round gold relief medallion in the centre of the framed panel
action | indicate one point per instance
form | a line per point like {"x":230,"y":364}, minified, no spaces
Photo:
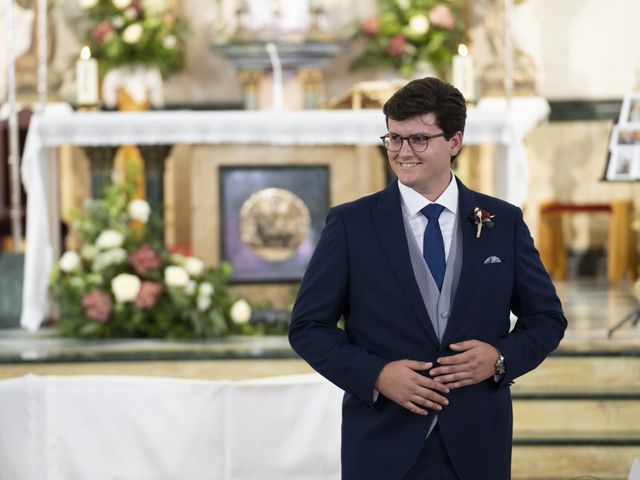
{"x":273,"y":223}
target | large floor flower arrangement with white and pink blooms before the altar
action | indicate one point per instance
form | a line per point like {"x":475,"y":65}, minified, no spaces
{"x":123,"y":283}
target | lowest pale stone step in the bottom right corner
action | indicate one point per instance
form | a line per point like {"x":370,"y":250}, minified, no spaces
{"x":577,"y":462}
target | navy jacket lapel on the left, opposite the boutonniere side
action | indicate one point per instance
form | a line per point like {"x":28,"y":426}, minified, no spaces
{"x":390,"y":226}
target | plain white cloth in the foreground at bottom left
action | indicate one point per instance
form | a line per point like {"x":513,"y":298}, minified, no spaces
{"x":144,"y":428}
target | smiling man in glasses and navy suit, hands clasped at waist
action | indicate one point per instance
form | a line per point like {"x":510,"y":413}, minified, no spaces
{"x":425,"y":274}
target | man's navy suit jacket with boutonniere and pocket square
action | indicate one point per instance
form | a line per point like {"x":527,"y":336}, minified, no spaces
{"x":361,"y":271}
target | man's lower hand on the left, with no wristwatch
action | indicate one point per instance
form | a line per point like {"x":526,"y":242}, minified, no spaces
{"x":400,"y":381}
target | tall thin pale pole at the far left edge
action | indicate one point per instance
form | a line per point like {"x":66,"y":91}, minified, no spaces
{"x":14,"y":145}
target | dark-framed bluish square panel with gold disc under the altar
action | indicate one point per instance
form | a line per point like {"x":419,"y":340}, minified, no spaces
{"x":271,"y":220}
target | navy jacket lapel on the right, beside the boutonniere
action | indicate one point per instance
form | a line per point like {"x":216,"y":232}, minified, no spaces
{"x":473,"y":250}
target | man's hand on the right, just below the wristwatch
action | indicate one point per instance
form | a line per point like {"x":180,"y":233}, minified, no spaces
{"x":476,"y":363}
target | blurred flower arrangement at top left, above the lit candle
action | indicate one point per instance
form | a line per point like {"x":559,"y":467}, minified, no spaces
{"x":133,"y":33}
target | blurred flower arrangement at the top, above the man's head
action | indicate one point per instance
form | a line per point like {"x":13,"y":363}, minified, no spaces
{"x":410,"y":35}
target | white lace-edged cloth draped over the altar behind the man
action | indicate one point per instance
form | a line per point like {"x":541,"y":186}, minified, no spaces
{"x":490,"y":122}
